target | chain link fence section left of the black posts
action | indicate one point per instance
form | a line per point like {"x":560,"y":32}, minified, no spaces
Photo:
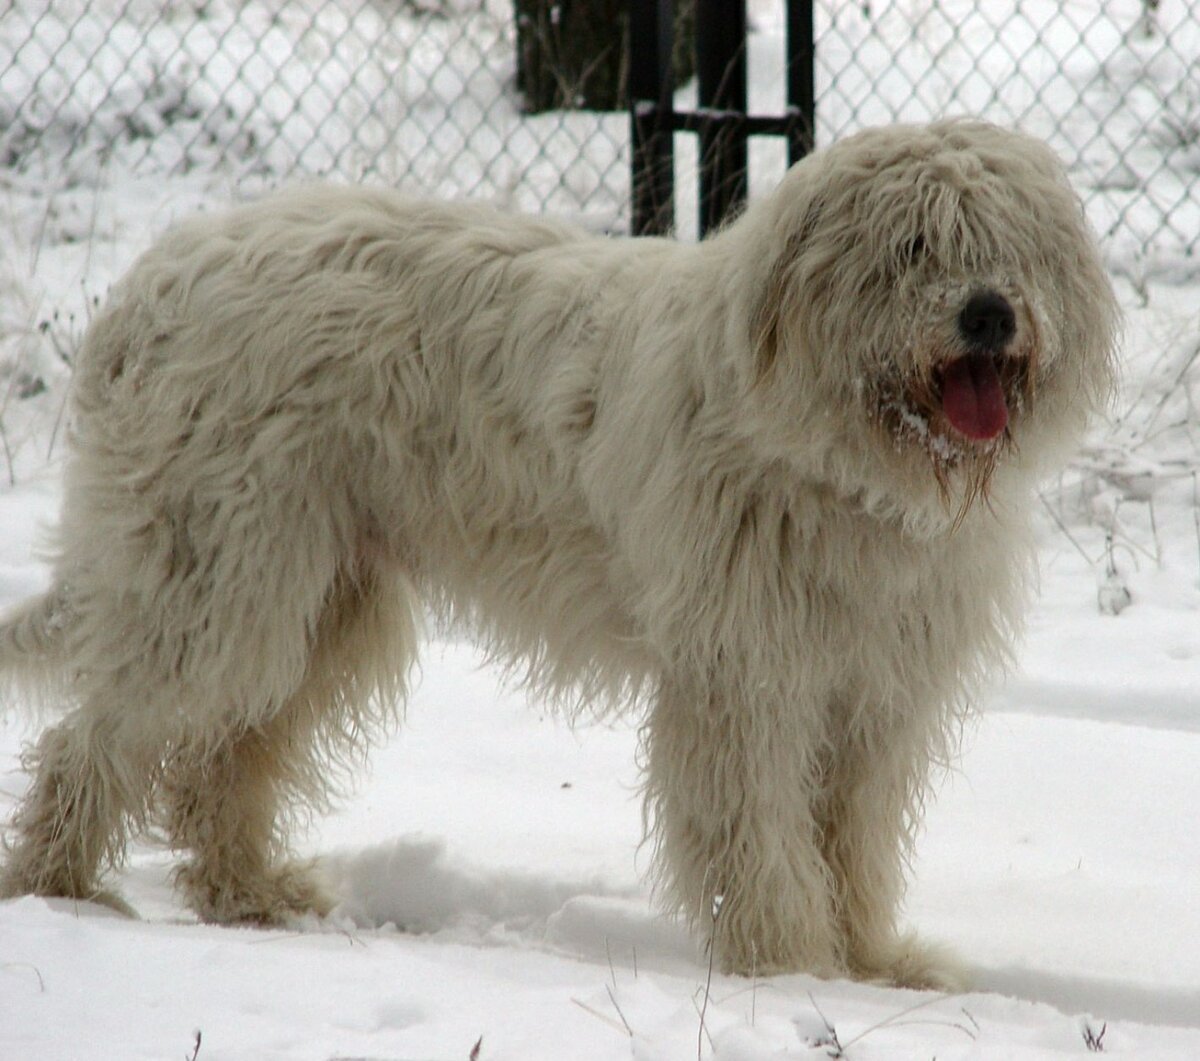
{"x":416,"y":94}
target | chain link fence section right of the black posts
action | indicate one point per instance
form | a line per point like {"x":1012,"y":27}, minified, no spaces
{"x":1114,"y":87}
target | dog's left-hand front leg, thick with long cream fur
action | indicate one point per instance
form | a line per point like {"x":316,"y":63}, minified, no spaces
{"x":733,"y":792}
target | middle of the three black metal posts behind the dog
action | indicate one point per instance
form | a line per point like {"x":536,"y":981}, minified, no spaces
{"x":722,"y":71}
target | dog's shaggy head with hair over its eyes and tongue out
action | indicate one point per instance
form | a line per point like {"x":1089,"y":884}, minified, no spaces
{"x":940,"y":284}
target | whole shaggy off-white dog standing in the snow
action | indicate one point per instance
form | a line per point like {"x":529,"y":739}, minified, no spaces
{"x":776,"y":485}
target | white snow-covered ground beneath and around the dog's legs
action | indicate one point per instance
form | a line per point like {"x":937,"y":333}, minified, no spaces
{"x":490,"y":877}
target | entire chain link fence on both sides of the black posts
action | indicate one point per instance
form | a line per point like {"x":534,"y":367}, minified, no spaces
{"x":421,"y":94}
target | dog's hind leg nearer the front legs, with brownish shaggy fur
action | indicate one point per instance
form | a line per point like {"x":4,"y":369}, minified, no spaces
{"x":229,"y":805}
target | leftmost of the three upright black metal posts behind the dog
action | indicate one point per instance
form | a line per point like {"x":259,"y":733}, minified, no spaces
{"x":651,"y":32}
